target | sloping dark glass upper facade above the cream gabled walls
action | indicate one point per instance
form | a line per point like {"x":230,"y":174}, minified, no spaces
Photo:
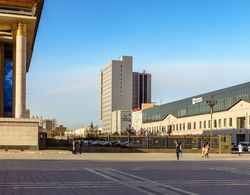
{"x":226,"y":98}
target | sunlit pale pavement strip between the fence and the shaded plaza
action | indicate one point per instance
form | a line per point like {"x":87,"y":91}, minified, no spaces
{"x":67,"y":155}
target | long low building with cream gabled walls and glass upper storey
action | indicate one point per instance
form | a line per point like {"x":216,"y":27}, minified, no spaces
{"x":191,"y":116}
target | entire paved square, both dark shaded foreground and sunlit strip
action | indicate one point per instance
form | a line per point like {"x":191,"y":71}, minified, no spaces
{"x":113,"y":174}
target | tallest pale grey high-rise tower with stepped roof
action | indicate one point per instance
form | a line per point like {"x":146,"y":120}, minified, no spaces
{"x":116,"y":89}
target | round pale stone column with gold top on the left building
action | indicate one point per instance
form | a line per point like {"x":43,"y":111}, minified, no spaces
{"x":20,"y":74}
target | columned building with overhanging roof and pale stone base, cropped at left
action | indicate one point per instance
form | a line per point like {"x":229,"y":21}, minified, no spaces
{"x":19,"y":22}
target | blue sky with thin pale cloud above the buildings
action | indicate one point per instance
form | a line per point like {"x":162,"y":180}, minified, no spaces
{"x":189,"y":46}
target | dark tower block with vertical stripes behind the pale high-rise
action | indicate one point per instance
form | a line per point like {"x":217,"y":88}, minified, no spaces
{"x":141,"y":89}
